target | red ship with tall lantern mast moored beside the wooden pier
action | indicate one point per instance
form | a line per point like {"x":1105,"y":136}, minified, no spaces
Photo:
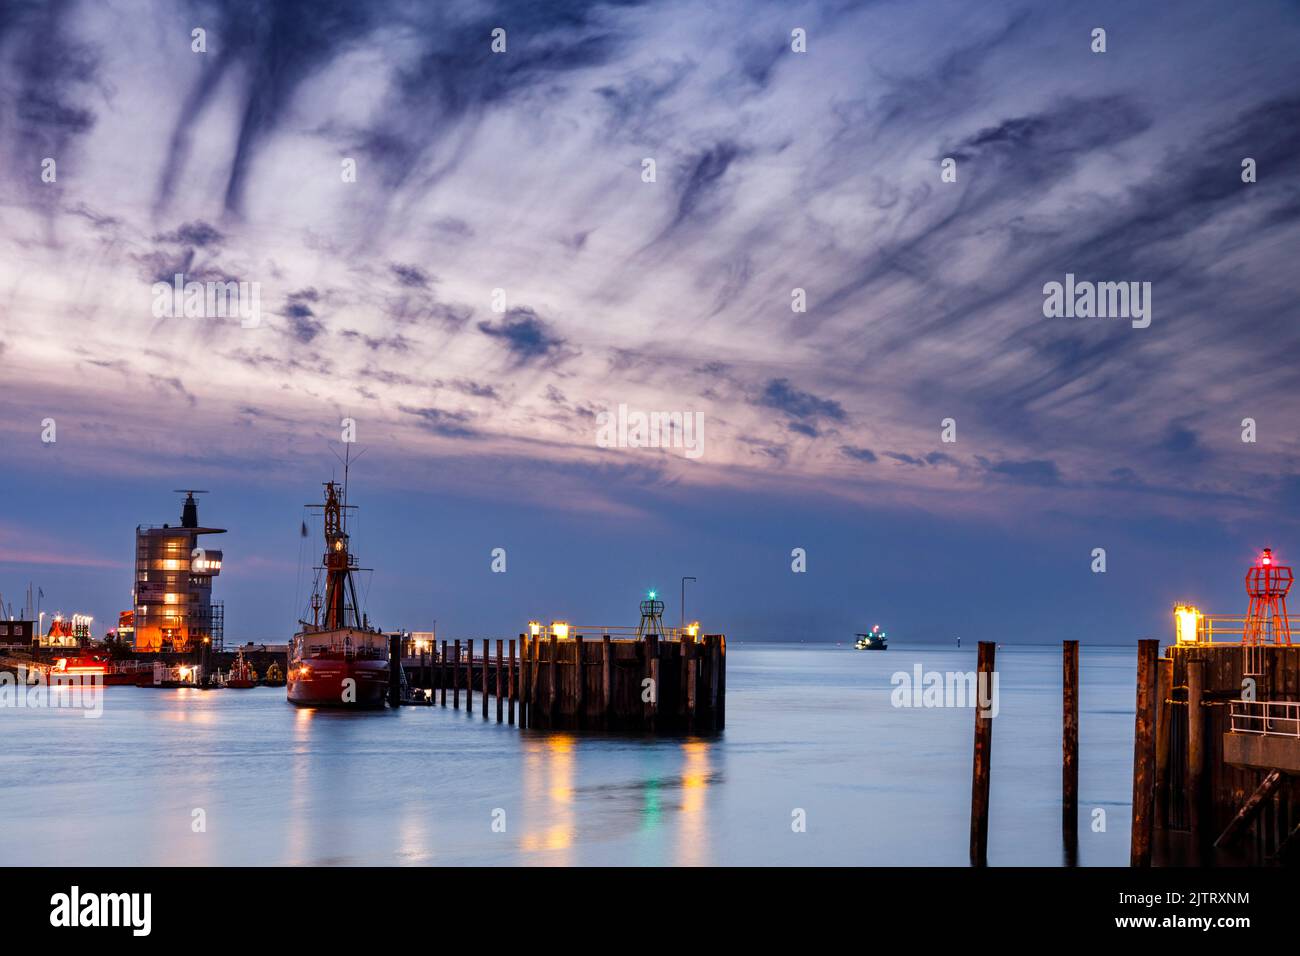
{"x":337,"y":660}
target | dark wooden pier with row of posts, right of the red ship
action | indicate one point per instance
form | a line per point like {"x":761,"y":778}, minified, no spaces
{"x":661,"y":685}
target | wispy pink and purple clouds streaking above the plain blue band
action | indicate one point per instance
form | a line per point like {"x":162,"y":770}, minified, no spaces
{"x":522,"y":171}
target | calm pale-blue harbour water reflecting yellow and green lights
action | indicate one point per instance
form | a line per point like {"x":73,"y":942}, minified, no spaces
{"x":809,"y":726}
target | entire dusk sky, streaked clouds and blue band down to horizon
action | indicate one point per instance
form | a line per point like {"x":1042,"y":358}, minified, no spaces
{"x":775,"y":171}
